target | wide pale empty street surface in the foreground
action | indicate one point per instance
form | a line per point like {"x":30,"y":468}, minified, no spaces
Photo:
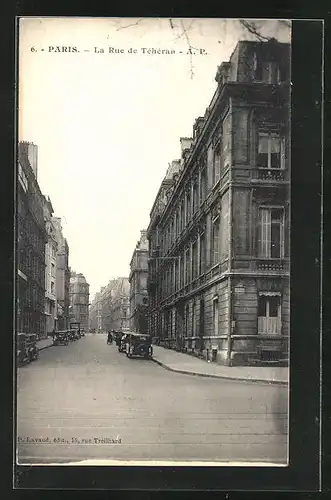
{"x":88,"y":401}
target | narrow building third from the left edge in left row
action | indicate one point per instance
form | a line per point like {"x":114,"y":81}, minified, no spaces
{"x":62,"y":276}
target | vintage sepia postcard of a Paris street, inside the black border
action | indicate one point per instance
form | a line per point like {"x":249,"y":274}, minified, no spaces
{"x":153,"y":241}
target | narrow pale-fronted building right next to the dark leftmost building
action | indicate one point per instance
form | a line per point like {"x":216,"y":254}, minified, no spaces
{"x":50,"y":270}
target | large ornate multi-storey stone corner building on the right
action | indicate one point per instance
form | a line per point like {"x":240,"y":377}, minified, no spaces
{"x":219,"y":229}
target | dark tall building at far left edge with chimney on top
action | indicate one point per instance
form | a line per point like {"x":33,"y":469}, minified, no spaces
{"x":31,"y":240}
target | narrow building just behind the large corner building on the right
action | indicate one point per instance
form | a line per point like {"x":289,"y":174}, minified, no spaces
{"x":138,"y":286}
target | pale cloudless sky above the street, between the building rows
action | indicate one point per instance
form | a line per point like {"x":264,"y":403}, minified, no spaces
{"x":107,"y":124}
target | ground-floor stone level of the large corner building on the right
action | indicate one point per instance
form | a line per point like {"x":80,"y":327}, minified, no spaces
{"x":234,"y":320}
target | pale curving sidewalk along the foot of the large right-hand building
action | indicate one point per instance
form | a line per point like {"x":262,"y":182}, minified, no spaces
{"x":187,"y":364}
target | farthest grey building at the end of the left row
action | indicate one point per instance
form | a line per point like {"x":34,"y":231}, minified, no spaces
{"x":79,"y":294}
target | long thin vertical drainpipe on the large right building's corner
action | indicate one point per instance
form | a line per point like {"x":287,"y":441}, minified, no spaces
{"x":230,"y":251}
